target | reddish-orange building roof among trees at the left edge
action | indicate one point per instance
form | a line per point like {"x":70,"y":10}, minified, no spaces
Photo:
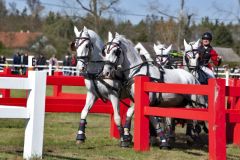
{"x":18,"y":39}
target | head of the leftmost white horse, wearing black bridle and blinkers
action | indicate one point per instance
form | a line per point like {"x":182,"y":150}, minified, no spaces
{"x":82,"y":44}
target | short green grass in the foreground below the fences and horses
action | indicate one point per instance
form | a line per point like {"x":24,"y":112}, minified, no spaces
{"x":59,"y":141}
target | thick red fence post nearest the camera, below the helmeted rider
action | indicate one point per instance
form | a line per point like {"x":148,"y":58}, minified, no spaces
{"x":217,"y":120}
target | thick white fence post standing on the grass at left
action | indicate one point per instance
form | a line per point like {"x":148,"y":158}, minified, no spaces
{"x":33,"y":141}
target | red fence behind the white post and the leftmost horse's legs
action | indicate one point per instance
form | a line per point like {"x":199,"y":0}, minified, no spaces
{"x":65,"y":102}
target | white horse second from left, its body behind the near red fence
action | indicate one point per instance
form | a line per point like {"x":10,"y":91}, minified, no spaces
{"x":119,"y":53}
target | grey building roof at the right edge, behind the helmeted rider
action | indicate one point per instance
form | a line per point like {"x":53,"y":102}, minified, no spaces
{"x":228,"y":54}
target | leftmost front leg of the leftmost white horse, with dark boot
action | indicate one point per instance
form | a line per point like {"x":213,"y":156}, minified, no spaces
{"x":90,"y":100}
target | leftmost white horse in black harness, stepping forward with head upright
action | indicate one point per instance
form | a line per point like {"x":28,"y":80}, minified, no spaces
{"x":88,"y":46}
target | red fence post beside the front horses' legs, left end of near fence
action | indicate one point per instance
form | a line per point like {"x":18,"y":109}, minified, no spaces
{"x":141,"y":122}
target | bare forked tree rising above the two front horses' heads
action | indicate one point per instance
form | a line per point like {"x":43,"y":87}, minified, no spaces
{"x":97,"y":8}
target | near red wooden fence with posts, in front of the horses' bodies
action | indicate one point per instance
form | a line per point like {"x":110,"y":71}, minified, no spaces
{"x":215,"y":114}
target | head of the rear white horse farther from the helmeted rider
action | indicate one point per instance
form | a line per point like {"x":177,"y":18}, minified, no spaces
{"x":162,"y":53}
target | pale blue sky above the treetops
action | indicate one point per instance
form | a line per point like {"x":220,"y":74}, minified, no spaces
{"x":136,"y":10}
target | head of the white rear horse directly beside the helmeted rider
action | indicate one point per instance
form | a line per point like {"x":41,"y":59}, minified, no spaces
{"x":191,"y":54}
